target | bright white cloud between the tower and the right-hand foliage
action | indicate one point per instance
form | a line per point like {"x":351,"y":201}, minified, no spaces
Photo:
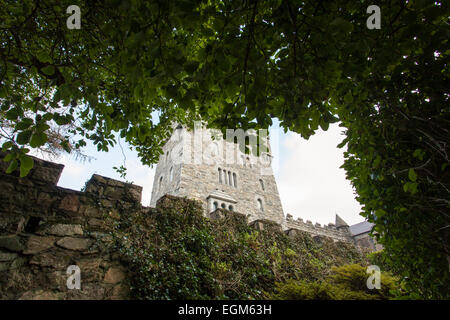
{"x":310,"y":182}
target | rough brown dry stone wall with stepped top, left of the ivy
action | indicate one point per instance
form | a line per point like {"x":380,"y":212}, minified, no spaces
{"x":44,"y":229}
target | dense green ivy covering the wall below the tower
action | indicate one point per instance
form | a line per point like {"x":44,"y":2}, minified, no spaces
{"x":174,"y":252}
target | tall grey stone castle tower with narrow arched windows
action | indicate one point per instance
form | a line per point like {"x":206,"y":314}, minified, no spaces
{"x":201,"y":164}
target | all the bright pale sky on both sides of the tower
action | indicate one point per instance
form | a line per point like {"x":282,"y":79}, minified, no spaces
{"x":309,"y":180}
